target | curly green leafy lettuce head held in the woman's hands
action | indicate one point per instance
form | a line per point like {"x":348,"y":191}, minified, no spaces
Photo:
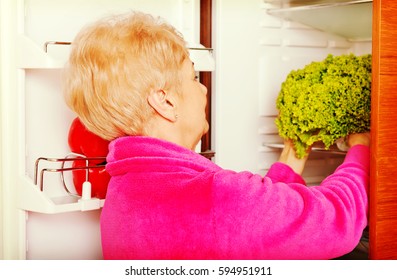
{"x":325,"y":101}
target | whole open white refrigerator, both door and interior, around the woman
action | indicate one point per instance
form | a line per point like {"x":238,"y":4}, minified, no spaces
{"x":254,"y":45}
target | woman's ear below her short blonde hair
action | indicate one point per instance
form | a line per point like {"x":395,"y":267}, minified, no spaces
{"x":162,"y":104}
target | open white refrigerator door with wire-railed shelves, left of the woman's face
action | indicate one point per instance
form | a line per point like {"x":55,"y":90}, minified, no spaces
{"x":48,"y":222}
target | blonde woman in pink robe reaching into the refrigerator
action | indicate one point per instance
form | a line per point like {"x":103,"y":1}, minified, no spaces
{"x":130,"y":80}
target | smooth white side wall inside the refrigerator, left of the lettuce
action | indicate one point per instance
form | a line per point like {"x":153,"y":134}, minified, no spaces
{"x":236,"y":84}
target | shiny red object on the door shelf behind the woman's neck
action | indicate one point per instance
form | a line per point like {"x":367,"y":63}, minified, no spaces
{"x":83,"y":142}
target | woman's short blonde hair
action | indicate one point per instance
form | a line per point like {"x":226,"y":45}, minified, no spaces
{"x":114,"y":64}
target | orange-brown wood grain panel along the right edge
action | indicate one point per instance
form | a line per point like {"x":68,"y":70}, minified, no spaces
{"x":383,"y":188}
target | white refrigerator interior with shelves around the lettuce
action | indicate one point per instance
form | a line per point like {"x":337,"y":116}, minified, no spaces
{"x":254,"y":51}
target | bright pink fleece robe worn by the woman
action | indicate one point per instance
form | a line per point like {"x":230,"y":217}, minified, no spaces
{"x":167,"y":202}
